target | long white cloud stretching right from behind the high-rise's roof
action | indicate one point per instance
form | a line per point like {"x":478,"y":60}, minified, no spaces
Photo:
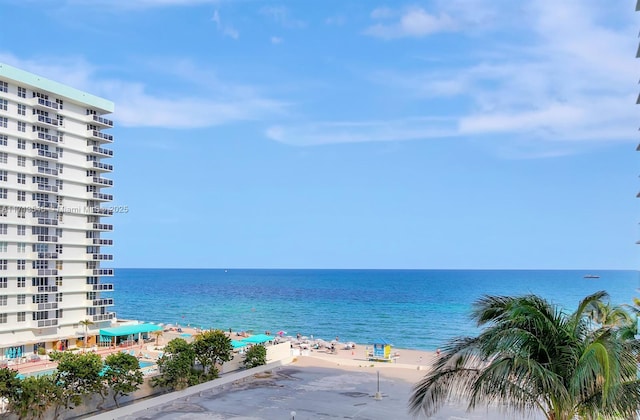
{"x":224,"y":103}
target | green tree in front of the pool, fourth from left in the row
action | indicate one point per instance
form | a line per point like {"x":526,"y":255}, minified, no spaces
{"x":122,"y":374}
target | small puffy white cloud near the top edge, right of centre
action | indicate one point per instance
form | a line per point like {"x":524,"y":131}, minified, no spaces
{"x":415,"y":22}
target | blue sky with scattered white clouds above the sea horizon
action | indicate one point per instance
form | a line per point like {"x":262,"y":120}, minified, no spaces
{"x":357,"y":134}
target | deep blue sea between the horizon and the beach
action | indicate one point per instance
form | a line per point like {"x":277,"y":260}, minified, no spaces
{"x":418,"y":309}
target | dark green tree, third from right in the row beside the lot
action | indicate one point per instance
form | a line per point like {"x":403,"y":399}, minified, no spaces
{"x":176,"y":366}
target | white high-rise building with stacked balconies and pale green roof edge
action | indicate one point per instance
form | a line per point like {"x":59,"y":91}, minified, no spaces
{"x":53,"y":201}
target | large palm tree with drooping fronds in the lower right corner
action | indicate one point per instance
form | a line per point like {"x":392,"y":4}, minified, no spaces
{"x":531,"y":356}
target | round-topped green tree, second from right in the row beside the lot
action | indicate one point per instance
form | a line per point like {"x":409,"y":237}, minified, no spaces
{"x":212,"y":348}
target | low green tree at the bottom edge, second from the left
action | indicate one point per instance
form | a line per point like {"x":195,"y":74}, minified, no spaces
{"x":34,"y":396}
